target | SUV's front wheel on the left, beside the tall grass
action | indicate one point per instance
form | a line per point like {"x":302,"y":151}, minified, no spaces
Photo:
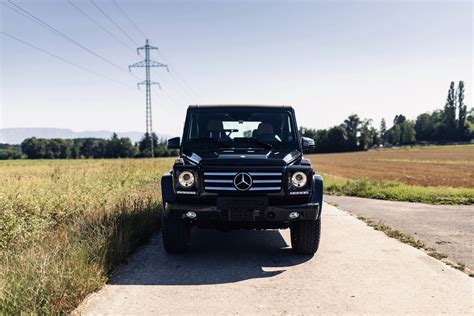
{"x":176,"y":234}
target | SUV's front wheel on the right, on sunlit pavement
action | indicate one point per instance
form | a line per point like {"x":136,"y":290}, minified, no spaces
{"x":305,"y":236}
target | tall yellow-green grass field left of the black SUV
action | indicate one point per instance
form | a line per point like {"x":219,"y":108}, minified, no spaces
{"x":64,"y":225}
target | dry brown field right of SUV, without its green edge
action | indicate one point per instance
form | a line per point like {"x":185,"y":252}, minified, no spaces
{"x":450,"y":166}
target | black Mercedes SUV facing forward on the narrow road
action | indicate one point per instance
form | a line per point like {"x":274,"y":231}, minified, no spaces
{"x":242,"y":167}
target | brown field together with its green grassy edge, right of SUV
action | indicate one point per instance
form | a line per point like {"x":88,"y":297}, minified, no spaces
{"x":438,"y":175}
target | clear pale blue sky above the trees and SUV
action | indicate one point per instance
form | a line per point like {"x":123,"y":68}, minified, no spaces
{"x":327,"y":59}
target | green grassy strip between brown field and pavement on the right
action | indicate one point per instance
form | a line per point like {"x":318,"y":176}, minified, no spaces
{"x":396,"y":191}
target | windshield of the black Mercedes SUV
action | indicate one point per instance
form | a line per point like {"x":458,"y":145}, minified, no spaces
{"x":242,"y":128}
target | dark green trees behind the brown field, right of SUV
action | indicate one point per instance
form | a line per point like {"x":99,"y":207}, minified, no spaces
{"x":453,"y":123}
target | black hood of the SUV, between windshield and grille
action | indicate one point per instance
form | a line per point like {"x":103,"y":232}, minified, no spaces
{"x":243,"y":157}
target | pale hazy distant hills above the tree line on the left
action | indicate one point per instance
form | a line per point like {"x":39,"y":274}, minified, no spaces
{"x":17,"y":135}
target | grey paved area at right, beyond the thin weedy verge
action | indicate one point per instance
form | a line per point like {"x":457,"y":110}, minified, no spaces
{"x":446,"y":228}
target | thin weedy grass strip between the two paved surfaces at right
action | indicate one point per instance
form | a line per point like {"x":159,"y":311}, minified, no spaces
{"x":410,"y":240}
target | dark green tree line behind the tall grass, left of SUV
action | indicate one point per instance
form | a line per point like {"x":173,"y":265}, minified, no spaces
{"x":78,"y":148}
